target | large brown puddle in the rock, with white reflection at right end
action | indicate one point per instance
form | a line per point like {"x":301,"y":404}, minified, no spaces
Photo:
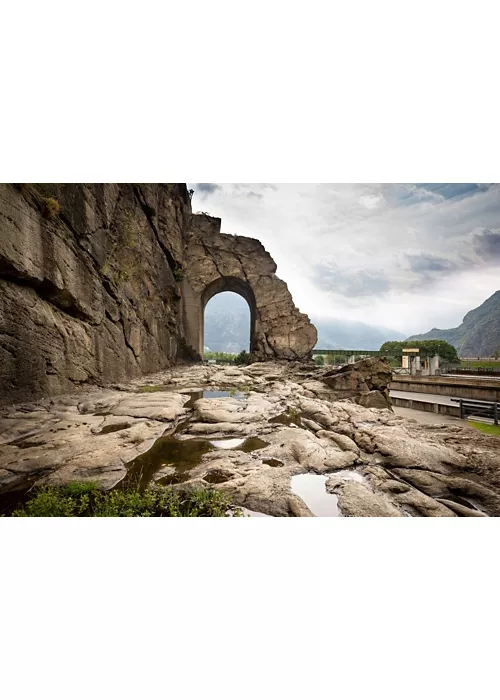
{"x":183,"y":455}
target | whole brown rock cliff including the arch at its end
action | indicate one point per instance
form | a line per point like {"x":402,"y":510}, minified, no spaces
{"x":105,"y":282}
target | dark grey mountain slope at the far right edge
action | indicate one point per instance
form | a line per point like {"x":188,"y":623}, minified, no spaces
{"x":479,"y":333}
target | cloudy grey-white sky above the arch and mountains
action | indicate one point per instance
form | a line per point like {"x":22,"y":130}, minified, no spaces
{"x":405,"y":256}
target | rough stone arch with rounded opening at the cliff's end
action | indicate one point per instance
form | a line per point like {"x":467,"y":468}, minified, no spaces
{"x":214,"y":262}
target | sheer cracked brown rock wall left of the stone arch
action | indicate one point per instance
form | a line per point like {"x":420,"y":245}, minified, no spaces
{"x":87,"y":286}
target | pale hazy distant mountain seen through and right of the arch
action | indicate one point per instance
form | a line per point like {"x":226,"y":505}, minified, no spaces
{"x":227,"y":329}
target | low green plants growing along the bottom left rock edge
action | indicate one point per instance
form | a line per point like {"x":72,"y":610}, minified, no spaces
{"x":87,"y":500}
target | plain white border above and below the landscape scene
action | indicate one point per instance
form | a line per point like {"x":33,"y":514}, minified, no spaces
{"x":249,"y":92}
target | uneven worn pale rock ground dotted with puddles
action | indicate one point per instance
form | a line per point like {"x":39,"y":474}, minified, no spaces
{"x":277,"y":421}
